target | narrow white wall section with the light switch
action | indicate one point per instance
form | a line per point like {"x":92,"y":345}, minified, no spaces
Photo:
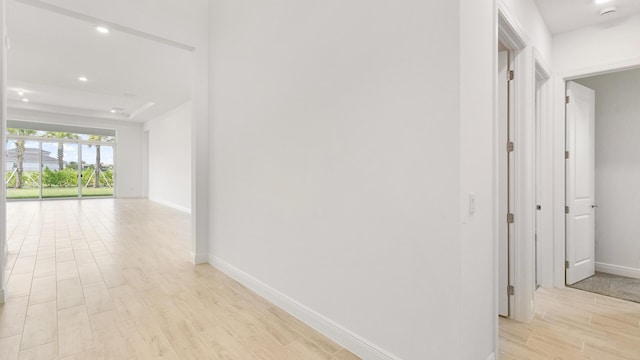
{"x":478,"y":243}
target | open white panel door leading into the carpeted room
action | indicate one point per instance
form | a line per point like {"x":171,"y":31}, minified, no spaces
{"x":580,"y":243}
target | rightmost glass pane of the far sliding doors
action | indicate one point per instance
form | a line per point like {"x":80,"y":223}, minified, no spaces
{"x":97,"y":170}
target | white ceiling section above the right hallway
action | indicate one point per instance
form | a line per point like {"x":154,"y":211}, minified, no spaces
{"x":566,"y":15}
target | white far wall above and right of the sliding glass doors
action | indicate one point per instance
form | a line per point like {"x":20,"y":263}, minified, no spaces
{"x":128,"y":155}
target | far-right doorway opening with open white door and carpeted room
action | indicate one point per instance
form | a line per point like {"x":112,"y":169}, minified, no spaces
{"x":614,"y":267}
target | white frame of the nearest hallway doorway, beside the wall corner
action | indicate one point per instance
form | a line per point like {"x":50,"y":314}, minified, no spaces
{"x":513,"y":37}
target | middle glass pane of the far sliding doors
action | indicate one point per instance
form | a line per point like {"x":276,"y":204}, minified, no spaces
{"x":59,"y":169}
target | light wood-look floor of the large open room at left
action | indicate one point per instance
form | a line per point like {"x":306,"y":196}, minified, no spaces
{"x":112,"y":279}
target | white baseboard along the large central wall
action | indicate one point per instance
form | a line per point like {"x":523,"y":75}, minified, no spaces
{"x":352,"y":342}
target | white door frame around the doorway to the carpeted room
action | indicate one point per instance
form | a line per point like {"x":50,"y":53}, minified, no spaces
{"x":559,"y":148}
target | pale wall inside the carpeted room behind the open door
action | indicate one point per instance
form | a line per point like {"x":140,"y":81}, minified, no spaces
{"x":617,"y":172}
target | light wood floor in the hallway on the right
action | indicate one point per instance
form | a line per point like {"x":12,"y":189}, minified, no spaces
{"x":573,"y":324}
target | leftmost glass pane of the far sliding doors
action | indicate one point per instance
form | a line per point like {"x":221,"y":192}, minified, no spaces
{"x":23,"y":169}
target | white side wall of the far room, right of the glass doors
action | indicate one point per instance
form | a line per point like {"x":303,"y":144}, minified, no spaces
{"x":169,"y":158}
